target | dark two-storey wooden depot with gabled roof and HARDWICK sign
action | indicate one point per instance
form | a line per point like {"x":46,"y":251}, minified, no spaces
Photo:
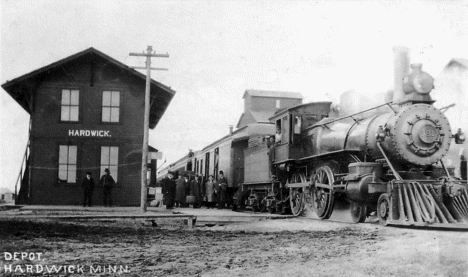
{"x":86,"y":114}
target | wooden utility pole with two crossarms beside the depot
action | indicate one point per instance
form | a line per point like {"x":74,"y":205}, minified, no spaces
{"x":144,"y":160}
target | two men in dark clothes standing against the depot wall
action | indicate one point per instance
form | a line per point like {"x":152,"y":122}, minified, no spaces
{"x":107,"y":183}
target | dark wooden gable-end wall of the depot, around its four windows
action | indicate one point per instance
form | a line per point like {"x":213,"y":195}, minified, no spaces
{"x":88,"y":134}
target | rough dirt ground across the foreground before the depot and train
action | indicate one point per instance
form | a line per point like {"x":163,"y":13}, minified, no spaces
{"x":282,"y":247}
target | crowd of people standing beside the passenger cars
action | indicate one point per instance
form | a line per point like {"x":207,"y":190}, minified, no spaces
{"x":209,"y":192}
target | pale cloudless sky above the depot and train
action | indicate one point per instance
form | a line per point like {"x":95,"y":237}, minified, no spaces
{"x":218,"y":49}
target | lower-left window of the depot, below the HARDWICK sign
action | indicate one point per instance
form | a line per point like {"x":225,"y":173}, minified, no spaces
{"x":67,"y":163}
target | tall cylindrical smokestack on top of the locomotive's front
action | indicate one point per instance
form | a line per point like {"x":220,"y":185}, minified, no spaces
{"x":400,"y":70}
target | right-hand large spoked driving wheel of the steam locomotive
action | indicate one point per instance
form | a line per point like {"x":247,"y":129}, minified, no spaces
{"x":323,"y":195}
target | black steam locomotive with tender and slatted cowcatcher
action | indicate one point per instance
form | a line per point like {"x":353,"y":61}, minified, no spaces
{"x":385,"y":160}
